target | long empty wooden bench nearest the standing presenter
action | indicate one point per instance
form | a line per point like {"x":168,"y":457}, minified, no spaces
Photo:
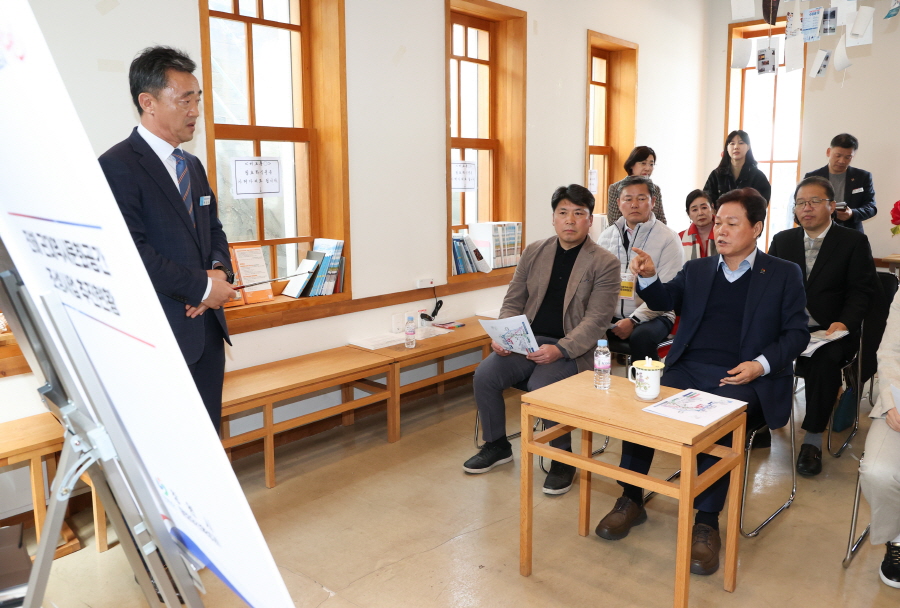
{"x":262,"y":386}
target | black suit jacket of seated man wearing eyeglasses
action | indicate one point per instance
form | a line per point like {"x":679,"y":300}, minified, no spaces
{"x":842,"y":282}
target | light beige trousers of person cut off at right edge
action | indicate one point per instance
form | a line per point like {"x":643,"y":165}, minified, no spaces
{"x":880,"y":479}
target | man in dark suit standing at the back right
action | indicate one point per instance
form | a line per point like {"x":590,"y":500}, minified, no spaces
{"x":851,"y":185}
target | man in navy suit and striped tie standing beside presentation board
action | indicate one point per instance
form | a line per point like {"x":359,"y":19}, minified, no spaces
{"x":170,"y":210}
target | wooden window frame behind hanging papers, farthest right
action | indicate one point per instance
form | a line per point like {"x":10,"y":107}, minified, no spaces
{"x":759,"y":29}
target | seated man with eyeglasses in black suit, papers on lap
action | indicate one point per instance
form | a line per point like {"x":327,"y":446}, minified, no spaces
{"x":839,"y":277}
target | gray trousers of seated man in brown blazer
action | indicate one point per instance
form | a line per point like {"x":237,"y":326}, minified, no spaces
{"x":496,"y":374}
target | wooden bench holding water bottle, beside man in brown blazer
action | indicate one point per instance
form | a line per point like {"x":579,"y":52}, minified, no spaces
{"x":471,"y":336}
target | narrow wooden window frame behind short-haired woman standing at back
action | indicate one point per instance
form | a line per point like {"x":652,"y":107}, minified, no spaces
{"x":621,"y":109}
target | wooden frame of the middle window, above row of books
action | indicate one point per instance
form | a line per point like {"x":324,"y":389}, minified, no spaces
{"x":508,"y":50}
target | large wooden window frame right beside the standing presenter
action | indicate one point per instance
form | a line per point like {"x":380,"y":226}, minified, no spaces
{"x":323,"y":74}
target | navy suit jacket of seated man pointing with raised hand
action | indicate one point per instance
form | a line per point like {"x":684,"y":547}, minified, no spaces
{"x":774,"y":322}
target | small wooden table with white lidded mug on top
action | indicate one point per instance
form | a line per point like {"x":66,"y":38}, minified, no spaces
{"x":575,"y":403}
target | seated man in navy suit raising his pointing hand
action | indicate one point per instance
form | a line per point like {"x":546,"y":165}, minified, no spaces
{"x":742,"y":325}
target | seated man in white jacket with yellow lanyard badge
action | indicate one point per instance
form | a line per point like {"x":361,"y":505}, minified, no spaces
{"x":633,"y":320}
